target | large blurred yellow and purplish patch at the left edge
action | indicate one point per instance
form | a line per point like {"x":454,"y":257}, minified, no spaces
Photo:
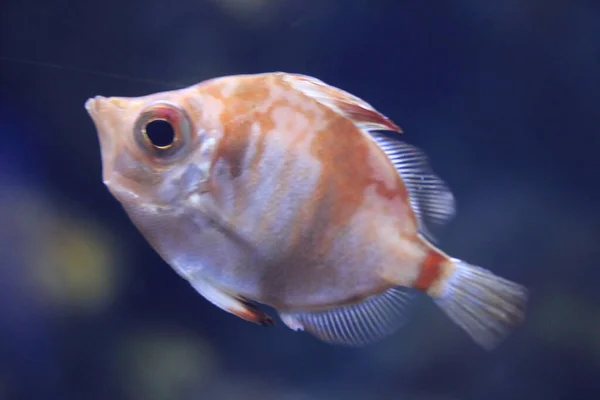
{"x":62,"y":256}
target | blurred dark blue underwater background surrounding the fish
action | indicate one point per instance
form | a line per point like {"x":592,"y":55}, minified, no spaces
{"x":503,"y":96}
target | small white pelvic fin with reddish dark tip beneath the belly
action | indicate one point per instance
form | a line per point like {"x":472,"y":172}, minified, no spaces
{"x":235,"y":305}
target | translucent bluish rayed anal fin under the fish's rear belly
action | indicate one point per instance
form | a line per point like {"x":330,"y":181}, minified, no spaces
{"x":358,"y":324}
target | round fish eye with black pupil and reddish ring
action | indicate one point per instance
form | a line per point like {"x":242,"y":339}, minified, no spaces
{"x":163,"y":130}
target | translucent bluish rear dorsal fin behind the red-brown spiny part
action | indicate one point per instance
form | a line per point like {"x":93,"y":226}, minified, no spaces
{"x":430,"y":198}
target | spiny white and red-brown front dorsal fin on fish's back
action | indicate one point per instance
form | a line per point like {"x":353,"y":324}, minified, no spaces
{"x":344,"y":103}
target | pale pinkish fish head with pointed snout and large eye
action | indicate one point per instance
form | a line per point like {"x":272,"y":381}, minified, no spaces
{"x":156,"y":150}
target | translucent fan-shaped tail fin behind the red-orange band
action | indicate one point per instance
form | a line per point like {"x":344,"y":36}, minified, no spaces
{"x":483,"y":304}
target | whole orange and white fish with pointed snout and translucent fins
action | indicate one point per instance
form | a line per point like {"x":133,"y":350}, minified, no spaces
{"x":280,"y":190}
